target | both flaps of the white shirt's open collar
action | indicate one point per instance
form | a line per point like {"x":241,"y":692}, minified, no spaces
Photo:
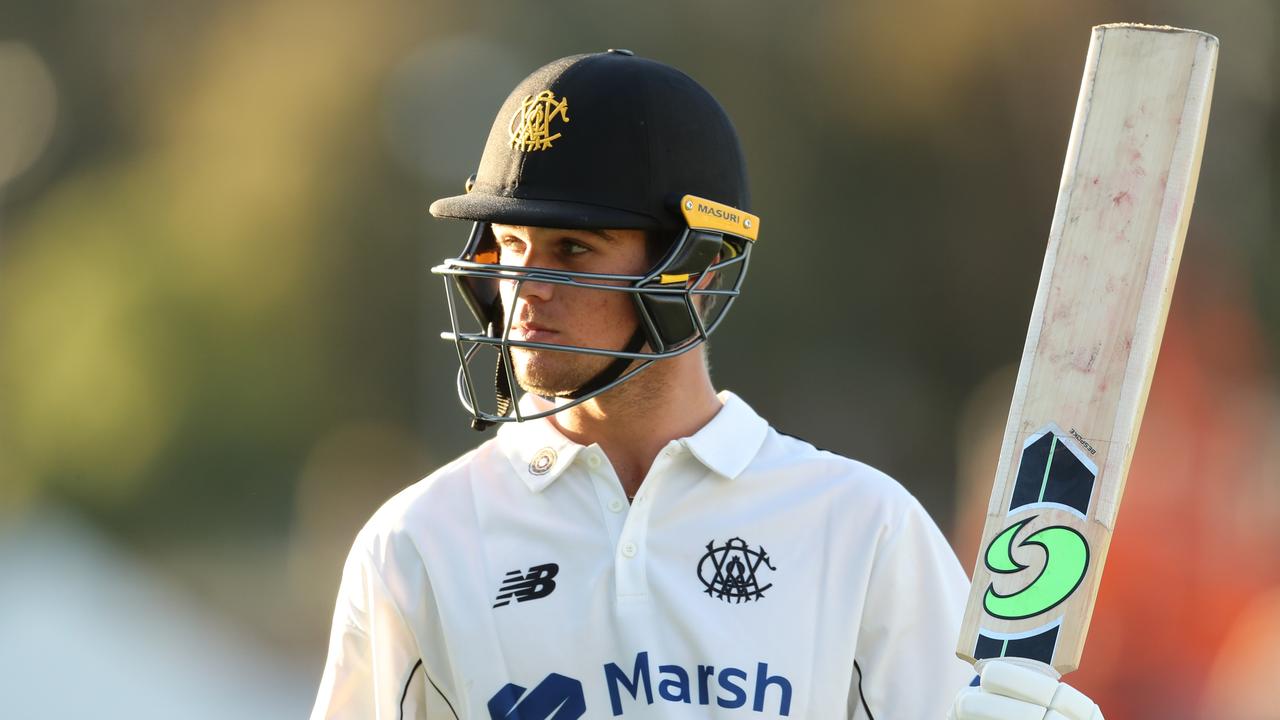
{"x":538,"y":453}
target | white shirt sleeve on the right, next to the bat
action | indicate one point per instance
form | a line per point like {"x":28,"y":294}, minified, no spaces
{"x":906,"y":662}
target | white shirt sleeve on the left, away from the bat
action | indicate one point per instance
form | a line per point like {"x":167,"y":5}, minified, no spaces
{"x":376,"y":668}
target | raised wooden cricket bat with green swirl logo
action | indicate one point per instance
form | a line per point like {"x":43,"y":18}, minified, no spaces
{"x":1100,"y":311}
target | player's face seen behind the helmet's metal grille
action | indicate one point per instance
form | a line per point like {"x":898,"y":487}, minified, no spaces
{"x":563,"y":315}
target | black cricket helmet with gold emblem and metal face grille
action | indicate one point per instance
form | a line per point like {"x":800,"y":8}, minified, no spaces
{"x":605,"y":142}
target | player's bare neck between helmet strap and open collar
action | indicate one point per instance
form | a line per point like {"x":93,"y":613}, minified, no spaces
{"x":636,"y":421}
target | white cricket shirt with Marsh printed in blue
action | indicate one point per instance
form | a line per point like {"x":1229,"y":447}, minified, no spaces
{"x":753,"y":577}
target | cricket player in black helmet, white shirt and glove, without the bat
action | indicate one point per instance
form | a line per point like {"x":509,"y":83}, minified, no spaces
{"x":639,"y":545}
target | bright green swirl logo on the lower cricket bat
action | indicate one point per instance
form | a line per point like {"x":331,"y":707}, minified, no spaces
{"x":1067,"y":559}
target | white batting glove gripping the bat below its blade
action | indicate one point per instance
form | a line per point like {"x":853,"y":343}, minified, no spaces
{"x":1012,"y":692}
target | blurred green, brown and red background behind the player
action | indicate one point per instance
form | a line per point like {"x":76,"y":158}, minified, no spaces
{"x":218,"y":331}
